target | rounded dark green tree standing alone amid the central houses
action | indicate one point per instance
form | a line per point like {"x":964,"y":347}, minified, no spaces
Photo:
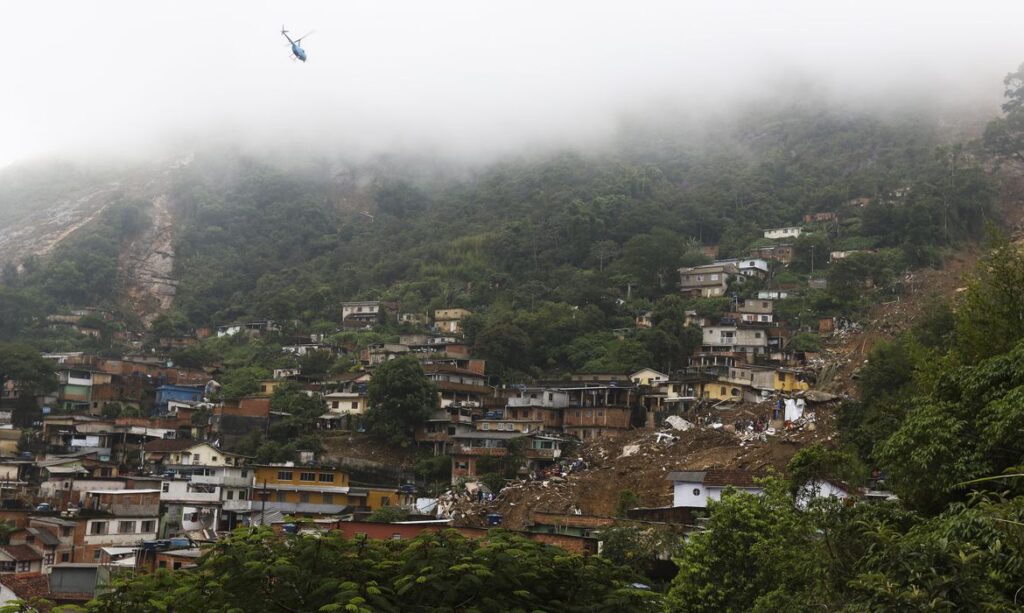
{"x":401,"y":398}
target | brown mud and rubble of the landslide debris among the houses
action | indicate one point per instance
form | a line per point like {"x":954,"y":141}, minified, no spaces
{"x":736,"y":437}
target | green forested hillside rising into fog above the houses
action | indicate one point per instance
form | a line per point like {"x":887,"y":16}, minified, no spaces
{"x":550,"y":252}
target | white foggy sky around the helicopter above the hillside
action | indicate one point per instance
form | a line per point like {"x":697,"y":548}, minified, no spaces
{"x":474,"y":78}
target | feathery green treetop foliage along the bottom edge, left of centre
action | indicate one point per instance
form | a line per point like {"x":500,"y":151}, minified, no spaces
{"x":258,"y":572}
